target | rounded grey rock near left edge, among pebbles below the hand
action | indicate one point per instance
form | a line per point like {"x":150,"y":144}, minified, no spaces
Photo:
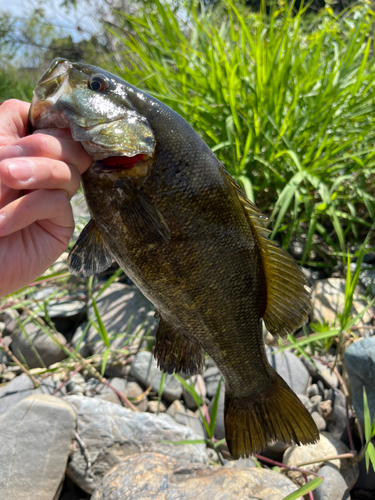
{"x":37,"y":348}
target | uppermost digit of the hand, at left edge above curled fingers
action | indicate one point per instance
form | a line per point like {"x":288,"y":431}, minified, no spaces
{"x":13,"y":121}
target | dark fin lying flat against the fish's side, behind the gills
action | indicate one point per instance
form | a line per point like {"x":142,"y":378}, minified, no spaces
{"x":141,"y":217}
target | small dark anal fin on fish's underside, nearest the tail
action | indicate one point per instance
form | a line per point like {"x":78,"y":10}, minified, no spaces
{"x":175,"y":353}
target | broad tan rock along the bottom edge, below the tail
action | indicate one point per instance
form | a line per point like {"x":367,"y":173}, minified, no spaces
{"x":153,"y":475}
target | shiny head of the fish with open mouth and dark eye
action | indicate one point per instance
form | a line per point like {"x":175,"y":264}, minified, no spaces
{"x":95,"y":105}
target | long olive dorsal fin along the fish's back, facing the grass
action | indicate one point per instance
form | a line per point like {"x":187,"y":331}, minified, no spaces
{"x":288,"y":295}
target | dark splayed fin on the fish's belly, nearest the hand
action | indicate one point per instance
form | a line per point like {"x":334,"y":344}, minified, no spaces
{"x":89,"y":255}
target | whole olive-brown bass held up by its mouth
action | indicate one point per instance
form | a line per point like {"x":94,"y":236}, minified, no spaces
{"x":168,"y":212}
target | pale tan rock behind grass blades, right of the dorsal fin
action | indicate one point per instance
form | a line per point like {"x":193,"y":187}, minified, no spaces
{"x":328,"y":300}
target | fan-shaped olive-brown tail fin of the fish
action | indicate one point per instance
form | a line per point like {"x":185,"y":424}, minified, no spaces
{"x":277,"y":414}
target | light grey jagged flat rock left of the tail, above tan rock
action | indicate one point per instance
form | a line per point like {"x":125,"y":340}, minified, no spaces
{"x":111,"y":433}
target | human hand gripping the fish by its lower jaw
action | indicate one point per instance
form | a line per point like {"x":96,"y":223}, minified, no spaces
{"x":39,"y":174}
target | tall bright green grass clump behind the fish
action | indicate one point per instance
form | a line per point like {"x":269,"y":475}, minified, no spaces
{"x":285,"y":101}
